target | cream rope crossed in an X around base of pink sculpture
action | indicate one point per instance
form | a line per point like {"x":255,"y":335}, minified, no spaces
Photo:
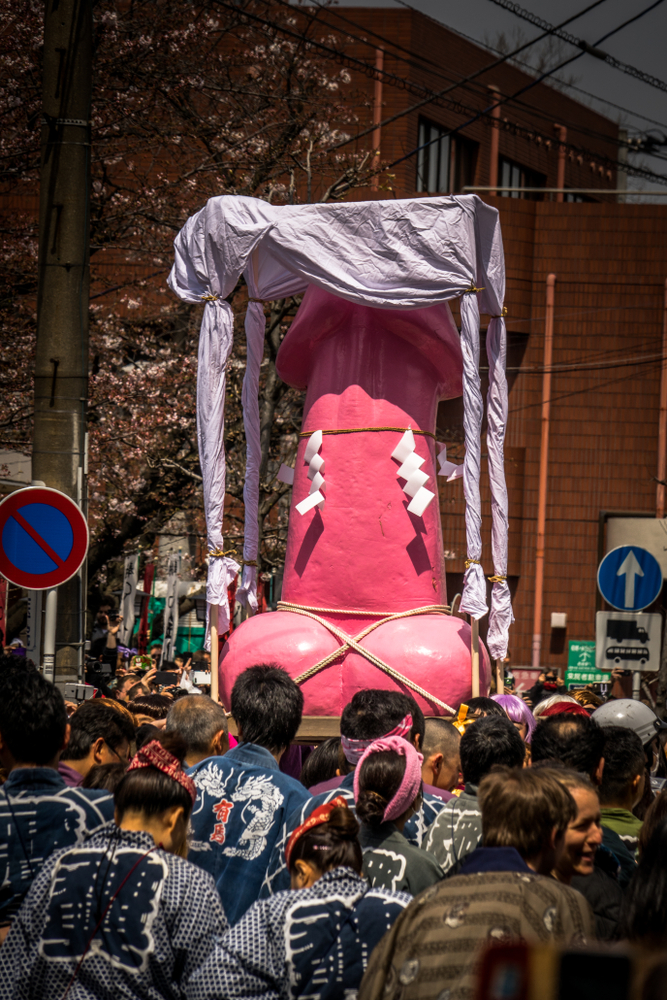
{"x":354,"y":642}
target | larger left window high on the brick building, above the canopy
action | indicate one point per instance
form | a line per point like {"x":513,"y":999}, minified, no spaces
{"x":444,"y":163}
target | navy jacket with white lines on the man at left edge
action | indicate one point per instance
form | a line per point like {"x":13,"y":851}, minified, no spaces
{"x":39,"y":814}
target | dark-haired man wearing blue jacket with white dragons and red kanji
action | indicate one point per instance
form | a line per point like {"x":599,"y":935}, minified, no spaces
{"x":244,"y":799}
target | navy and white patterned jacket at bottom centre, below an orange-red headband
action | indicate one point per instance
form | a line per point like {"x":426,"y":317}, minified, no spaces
{"x":313,"y":943}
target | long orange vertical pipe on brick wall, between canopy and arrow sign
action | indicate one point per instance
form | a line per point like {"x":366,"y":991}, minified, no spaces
{"x":544,"y":464}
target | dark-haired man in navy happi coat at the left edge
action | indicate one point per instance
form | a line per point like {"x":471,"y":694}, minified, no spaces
{"x":39,"y":814}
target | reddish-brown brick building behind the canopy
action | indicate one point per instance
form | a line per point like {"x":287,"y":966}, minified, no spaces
{"x":610,"y":262}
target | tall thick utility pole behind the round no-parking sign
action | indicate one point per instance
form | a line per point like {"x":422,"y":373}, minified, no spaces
{"x":61,"y":361}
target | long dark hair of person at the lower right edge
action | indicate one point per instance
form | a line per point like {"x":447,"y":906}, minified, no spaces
{"x":644,"y":908}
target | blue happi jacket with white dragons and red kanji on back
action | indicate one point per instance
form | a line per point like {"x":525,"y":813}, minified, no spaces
{"x":240,"y":817}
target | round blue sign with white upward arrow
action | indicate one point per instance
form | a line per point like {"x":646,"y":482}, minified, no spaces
{"x":629,"y":578}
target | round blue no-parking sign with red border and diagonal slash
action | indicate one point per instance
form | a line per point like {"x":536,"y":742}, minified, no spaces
{"x":43,"y":538}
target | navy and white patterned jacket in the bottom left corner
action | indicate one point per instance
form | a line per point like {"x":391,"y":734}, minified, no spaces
{"x":143,"y":924}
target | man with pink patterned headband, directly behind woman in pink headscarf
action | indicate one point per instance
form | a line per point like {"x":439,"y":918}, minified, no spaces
{"x":372,"y":714}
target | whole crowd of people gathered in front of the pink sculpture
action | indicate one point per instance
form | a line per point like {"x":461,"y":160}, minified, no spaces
{"x":146,"y":852}
